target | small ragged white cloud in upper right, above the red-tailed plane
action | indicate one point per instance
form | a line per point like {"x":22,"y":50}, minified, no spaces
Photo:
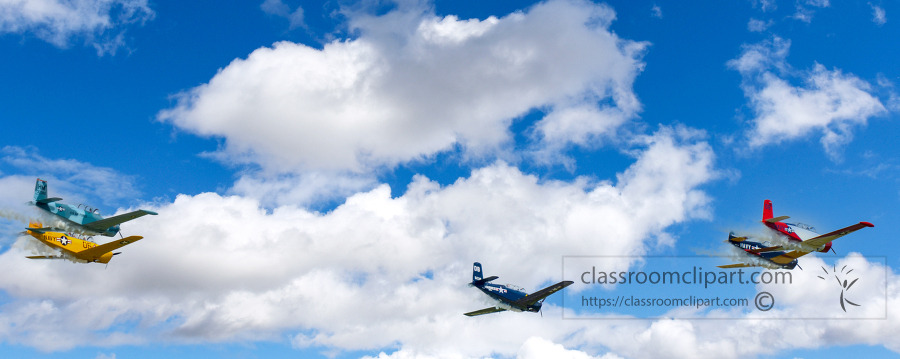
{"x":829,"y":102}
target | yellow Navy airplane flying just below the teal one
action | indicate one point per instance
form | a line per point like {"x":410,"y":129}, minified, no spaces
{"x":75,"y":248}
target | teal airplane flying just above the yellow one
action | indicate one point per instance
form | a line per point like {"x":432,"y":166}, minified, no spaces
{"x":85,"y":218}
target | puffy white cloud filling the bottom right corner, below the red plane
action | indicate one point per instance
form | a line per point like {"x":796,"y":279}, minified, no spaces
{"x":778,"y":330}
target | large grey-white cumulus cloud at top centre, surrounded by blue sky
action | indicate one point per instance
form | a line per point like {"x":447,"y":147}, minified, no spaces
{"x":413,"y":84}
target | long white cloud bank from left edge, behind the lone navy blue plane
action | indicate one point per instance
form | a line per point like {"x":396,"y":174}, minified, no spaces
{"x":373,"y":273}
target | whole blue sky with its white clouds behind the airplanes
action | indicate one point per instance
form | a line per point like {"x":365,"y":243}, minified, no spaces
{"x":359,"y":145}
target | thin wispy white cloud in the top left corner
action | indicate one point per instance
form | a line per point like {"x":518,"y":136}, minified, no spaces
{"x":99,"y":22}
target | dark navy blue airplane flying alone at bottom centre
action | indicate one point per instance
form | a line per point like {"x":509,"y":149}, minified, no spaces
{"x":510,"y":297}
